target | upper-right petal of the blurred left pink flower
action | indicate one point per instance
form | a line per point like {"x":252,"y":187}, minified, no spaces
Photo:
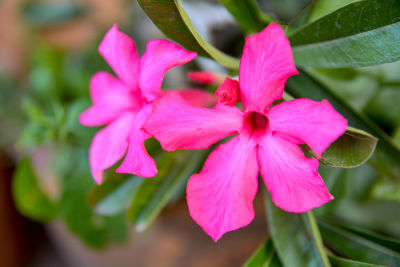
{"x":160,"y":56}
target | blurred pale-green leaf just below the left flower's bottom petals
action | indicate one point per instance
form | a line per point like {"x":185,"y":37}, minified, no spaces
{"x":114,"y":195}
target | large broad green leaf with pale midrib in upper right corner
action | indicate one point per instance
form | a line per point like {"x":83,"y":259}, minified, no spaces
{"x":363,"y":33}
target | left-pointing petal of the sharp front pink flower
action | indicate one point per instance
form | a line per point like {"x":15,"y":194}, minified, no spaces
{"x":177,"y":124}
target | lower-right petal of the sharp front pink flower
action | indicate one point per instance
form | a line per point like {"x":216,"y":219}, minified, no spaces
{"x":291,"y":178}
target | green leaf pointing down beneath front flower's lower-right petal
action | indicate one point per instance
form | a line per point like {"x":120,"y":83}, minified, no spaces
{"x":296,"y":237}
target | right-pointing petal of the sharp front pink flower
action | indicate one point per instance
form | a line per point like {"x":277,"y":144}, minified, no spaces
{"x":316,"y":124}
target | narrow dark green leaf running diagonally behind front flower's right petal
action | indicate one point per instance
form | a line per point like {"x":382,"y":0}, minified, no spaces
{"x":387,"y":153}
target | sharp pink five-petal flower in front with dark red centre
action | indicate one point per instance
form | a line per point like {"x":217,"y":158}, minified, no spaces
{"x":220,"y":197}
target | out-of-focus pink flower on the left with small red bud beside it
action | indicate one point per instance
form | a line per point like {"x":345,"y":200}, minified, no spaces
{"x":124,"y":103}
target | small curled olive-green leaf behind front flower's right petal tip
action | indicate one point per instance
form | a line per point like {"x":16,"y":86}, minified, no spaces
{"x":351,"y":150}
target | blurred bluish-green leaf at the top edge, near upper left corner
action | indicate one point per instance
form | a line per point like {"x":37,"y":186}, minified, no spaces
{"x":50,"y":14}
